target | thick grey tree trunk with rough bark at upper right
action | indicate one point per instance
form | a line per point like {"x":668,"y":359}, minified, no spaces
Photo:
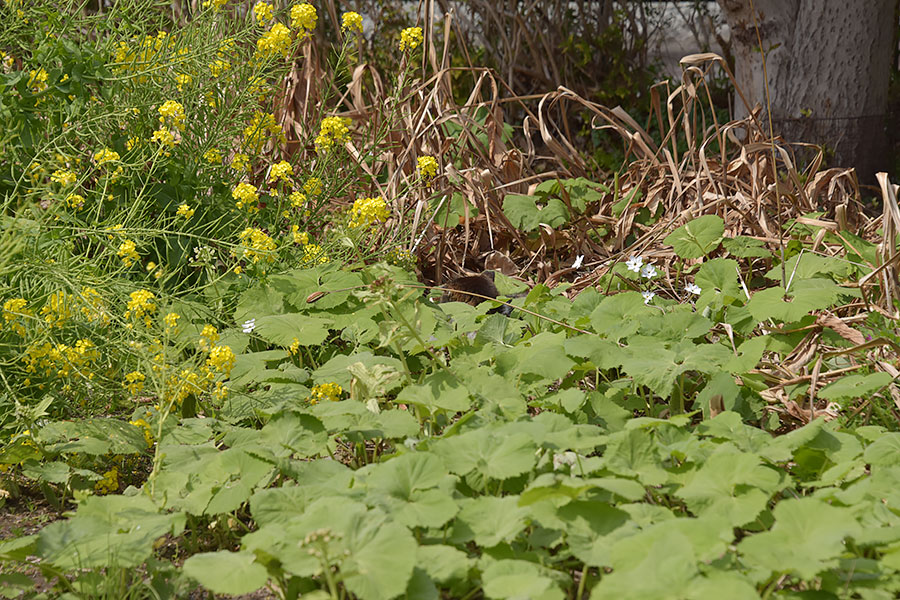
{"x":828,"y":64}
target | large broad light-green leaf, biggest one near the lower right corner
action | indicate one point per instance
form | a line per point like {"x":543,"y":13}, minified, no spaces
{"x":807,"y":538}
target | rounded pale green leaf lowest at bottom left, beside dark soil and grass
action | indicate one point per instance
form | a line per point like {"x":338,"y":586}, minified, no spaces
{"x":226,"y":572}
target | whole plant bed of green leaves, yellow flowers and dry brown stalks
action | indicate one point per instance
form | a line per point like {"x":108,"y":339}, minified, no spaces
{"x":222,"y":372}
